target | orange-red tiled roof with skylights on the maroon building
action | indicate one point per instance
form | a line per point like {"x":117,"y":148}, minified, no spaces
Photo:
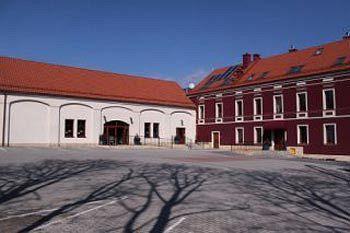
{"x":321,"y":59}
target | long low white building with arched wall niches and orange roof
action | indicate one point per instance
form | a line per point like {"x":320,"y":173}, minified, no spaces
{"x":43,"y":104}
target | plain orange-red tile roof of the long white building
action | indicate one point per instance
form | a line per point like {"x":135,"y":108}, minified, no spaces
{"x":17,"y":75}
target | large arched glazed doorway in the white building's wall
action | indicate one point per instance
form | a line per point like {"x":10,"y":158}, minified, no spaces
{"x":115,"y":133}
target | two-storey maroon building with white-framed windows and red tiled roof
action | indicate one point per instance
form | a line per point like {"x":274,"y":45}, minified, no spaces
{"x":300,"y":99}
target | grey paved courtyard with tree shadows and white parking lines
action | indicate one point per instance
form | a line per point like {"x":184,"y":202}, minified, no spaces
{"x":110,"y":190}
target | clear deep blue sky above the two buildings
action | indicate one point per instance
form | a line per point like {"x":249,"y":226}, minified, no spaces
{"x":178,"y":40}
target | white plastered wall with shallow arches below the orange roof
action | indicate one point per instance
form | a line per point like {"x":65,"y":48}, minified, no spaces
{"x":43,"y":118}
